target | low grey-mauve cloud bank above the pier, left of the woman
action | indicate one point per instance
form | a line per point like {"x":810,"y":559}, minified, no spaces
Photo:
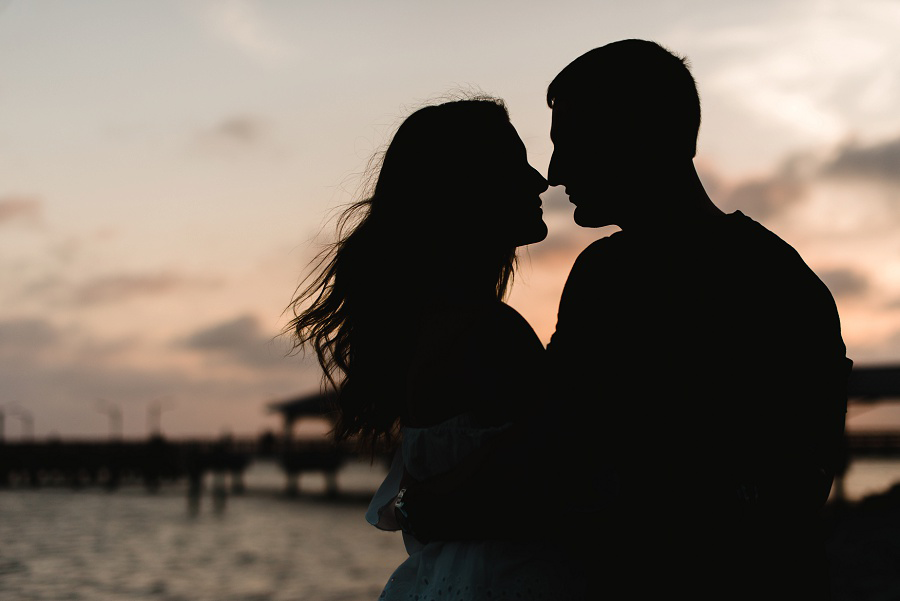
{"x":57,"y":373}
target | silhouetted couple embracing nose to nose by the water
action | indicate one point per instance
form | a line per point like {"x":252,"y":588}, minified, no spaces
{"x":679,"y":434}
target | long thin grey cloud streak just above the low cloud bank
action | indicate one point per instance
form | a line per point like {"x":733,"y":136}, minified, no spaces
{"x":123,"y":287}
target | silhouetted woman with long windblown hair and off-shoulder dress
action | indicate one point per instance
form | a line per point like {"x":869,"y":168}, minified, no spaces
{"x":406,"y":317}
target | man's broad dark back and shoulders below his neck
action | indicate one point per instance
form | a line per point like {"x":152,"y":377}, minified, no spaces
{"x":714,"y":362}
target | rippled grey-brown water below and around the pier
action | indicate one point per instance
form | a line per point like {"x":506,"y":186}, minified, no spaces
{"x":128,"y":545}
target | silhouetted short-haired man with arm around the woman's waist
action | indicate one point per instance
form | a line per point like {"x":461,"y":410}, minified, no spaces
{"x":695,"y":354}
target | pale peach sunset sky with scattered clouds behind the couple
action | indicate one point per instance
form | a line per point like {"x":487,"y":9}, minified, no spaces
{"x":168,"y":168}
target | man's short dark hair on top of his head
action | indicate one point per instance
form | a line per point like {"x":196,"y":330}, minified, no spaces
{"x":642,"y":85}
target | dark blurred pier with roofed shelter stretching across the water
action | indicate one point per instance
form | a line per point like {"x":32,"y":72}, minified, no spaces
{"x":154,"y":460}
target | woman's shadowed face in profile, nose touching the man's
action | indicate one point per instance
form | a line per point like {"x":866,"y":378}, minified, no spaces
{"x":505,"y":189}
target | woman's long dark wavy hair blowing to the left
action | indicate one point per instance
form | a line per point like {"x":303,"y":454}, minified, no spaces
{"x":359,"y":306}
